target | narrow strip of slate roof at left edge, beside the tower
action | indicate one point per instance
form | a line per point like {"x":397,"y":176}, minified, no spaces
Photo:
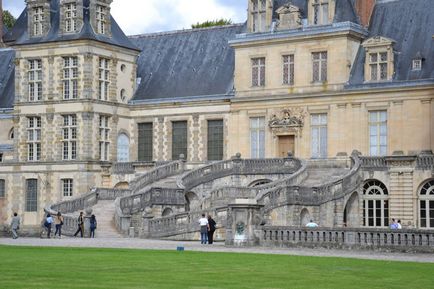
{"x":7,"y":78}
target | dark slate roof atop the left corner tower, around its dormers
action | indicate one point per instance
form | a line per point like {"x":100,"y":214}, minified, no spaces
{"x":18,"y":35}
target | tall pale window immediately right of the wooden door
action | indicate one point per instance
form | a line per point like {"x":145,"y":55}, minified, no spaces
{"x":319,"y":135}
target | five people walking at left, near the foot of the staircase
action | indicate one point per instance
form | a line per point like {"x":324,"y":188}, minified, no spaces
{"x":57,"y":220}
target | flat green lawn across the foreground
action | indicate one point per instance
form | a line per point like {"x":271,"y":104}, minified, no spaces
{"x":34,"y":268}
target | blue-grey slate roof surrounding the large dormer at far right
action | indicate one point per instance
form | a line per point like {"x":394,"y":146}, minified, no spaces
{"x":411,"y":25}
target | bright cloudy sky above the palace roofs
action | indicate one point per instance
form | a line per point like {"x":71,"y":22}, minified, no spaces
{"x":145,"y":16}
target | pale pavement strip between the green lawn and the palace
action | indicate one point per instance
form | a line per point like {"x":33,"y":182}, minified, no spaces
{"x":217,"y":247}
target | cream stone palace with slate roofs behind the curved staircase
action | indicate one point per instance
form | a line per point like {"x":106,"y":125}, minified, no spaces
{"x":84,"y":106}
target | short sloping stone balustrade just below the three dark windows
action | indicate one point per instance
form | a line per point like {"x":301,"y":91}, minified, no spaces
{"x":156,"y":174}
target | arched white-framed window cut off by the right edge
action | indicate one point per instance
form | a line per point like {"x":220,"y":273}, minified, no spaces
{"x":426,"y":205}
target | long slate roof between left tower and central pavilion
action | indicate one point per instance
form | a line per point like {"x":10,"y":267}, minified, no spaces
{"x":186,"y":63}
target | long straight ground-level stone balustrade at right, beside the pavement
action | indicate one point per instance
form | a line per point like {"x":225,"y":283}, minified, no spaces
{"x":363,"y":238}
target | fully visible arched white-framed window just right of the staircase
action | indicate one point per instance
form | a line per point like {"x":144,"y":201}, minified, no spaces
{"x":375,"y":204}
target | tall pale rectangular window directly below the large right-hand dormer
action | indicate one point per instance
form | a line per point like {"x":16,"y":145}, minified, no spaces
{"x":378,"y":133}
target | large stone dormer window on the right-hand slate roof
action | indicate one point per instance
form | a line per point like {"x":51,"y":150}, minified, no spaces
{"x":379,"y":63}
